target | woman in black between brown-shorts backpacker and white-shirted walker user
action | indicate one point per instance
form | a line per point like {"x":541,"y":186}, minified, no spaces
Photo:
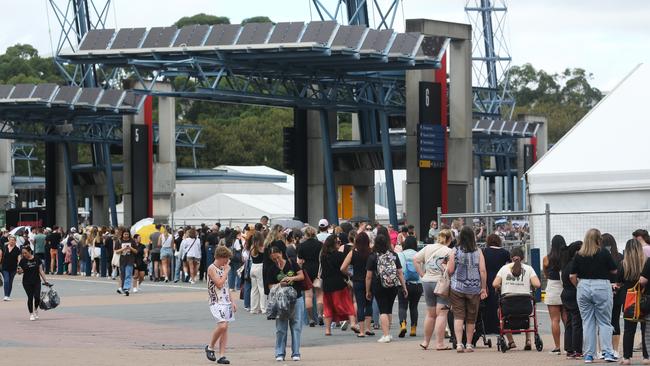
{"x":495,"y":258}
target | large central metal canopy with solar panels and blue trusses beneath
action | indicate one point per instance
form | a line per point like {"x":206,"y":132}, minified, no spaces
{"x":320,"y":65}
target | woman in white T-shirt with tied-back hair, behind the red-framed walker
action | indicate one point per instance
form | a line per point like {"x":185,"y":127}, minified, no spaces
{"x":516,"y":278}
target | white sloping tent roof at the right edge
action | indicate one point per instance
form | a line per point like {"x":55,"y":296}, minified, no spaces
{"x":605,"y":151}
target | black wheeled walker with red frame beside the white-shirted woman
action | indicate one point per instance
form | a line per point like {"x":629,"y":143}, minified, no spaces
{"x":515,"y":314}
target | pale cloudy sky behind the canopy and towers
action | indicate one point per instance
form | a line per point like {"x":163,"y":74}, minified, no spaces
{"x":605,"y":37}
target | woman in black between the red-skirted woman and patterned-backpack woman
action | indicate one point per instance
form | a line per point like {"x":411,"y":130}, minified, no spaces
{"x":358,"y":258}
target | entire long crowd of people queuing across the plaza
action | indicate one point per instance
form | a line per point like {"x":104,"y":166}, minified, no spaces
{"x":349,"y":277}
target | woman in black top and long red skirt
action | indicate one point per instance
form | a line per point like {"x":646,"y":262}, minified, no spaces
{"x":337,"y":293}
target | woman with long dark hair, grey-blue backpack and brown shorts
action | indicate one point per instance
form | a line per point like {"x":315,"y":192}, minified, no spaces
{"x":468,"y":274}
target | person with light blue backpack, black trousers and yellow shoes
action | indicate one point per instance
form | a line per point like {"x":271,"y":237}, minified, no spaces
{"x":413,"y":285}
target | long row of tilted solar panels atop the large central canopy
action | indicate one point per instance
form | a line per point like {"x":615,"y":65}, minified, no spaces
{"x":324,"y":37}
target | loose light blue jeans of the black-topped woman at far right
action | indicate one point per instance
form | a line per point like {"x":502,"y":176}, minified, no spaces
{"x":595,"y":303}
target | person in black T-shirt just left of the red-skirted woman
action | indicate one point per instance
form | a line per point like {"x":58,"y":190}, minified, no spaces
{"x":308,"y":253}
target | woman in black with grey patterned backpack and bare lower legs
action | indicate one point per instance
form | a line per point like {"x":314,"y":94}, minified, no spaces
{"x":384,"y":276}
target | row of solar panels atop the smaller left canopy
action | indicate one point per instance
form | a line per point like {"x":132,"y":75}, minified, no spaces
{"x":69,"y":97}
